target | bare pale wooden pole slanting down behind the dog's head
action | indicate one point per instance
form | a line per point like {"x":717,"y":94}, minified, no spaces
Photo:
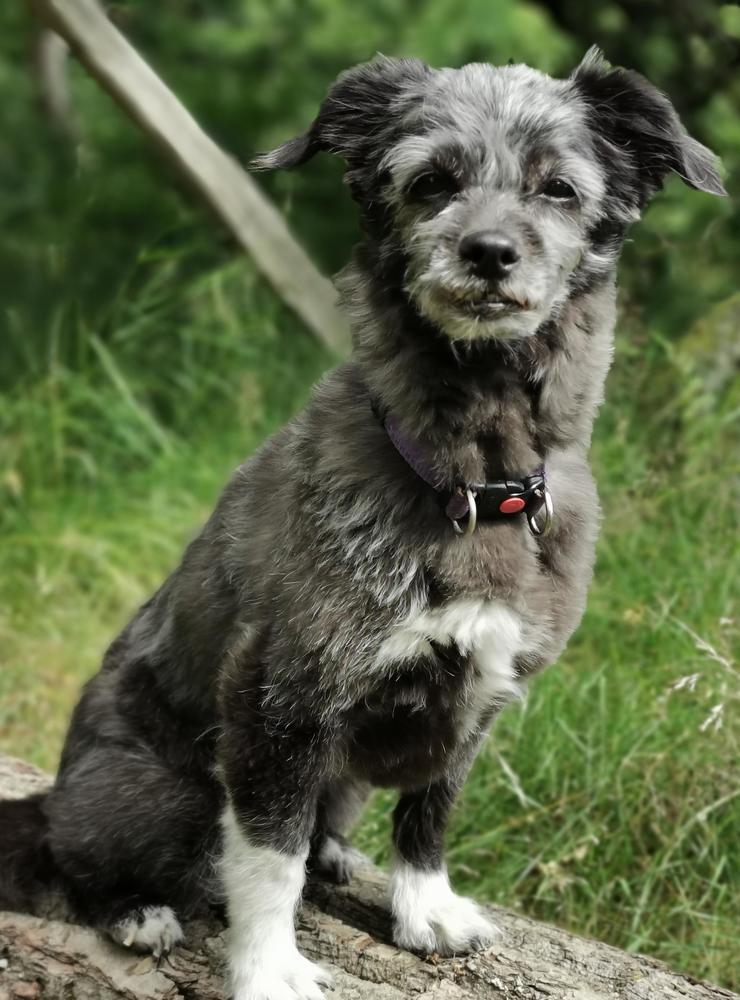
{"x":252,"y":219}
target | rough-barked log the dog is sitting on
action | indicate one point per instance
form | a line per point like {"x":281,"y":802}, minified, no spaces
{"x":346,"y":928}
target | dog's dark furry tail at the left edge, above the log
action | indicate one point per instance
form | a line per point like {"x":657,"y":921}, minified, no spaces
{"x":26,"y":864}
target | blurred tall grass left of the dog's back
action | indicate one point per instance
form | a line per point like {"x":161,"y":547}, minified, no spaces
{"x":112,"y":450}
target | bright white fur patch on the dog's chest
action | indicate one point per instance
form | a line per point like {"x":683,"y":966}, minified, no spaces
{"x":488,"y":631}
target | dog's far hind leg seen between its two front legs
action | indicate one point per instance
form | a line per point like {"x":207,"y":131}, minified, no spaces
{"x":339,"y":807}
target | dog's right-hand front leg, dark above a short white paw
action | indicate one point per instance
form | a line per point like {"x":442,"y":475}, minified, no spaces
{"x":428,"y":915}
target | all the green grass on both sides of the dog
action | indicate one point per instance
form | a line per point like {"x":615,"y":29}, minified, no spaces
{"x":608,"y":801}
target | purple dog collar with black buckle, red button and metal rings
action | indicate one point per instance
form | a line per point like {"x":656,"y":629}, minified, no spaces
{"x":495,"y":500}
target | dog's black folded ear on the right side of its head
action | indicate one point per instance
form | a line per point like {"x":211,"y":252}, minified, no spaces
{"x":629,"y":113}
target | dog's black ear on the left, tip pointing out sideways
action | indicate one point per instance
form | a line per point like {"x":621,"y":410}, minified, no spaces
{"x":354,"y":114}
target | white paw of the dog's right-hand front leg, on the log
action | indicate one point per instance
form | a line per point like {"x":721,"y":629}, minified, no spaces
{"x":430,"y":917}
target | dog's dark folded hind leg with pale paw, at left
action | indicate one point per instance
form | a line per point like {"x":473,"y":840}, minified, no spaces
{"x":131,"y":838}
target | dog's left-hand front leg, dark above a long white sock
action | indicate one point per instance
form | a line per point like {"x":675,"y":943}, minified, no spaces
{"x":272,"y":774}
